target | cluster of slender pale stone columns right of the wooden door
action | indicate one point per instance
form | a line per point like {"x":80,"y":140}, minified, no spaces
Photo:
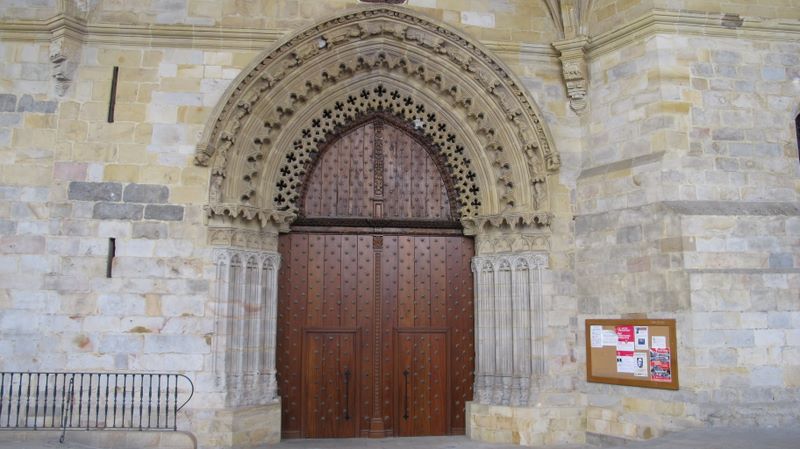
{"x":509,"y":326}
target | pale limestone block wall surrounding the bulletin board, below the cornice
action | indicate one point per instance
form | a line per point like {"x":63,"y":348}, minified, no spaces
{"x":686,"y":209}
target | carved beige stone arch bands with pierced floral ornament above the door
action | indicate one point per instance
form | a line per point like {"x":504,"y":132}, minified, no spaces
{"x":284,"y":108}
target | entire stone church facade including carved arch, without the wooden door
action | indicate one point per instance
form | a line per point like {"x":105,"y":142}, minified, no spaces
{"x":661,"y":179}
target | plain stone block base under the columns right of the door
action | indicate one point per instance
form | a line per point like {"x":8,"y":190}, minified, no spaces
{"x":527,"y":426}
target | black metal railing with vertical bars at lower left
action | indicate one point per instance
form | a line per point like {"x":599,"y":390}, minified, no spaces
{"x":92,"y":401}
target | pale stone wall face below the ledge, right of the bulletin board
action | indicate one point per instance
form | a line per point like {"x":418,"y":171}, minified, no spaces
{"x":745,"y":284}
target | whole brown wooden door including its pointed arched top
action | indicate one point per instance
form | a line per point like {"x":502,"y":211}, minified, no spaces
{"x":376,"y":337}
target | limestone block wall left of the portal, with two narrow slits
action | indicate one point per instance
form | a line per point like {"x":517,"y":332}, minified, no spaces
{"x":71,"y":181}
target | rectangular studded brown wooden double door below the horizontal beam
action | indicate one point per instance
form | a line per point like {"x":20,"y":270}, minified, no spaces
{"x":375,"y":334}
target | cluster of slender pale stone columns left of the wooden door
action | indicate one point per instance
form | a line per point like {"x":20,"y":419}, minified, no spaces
{"x":245,"y":329}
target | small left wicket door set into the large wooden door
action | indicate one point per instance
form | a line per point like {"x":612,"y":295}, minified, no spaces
{"x":328,"y":390}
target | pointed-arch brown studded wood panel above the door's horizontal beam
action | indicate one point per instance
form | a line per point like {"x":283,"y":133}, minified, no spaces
{"x":380,"y":169}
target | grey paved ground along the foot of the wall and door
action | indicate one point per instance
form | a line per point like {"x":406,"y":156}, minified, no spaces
{"x":718,"y":438}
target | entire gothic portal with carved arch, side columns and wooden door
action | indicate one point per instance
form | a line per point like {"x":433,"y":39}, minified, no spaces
{"x":286,"y":149}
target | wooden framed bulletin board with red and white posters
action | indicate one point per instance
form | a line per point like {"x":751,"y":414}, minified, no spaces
{"x":635,"y":352}
